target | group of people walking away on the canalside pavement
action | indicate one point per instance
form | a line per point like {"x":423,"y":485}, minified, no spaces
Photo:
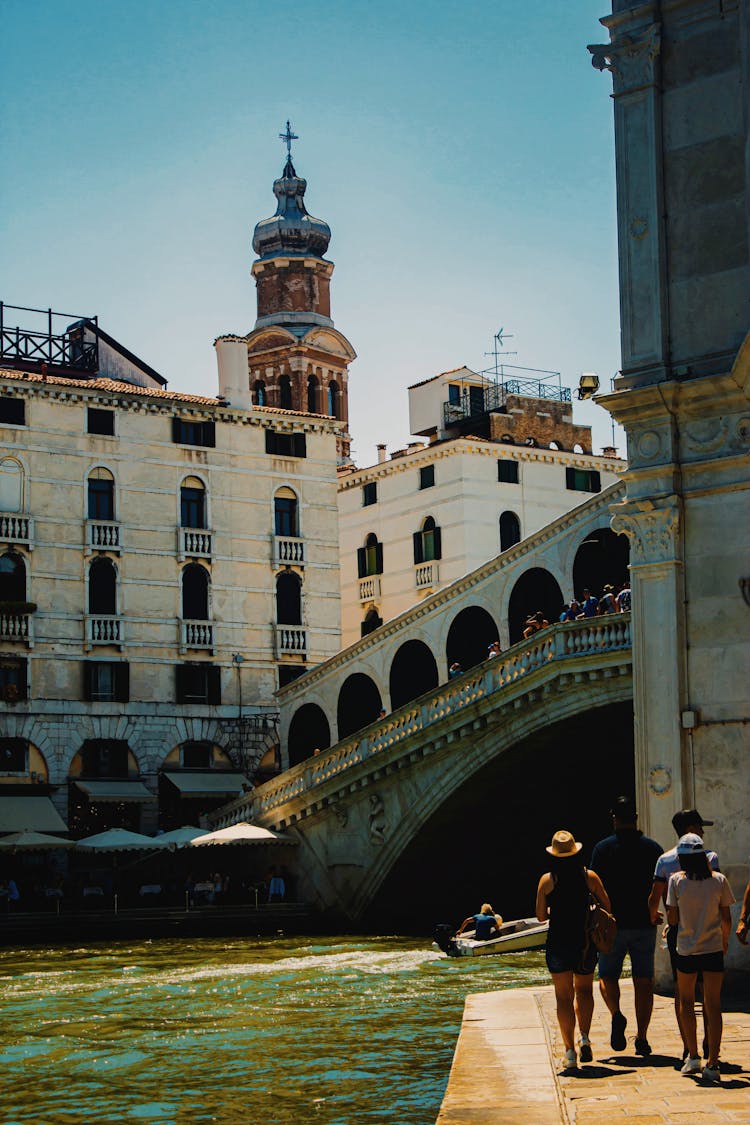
{"x":630,"y":877}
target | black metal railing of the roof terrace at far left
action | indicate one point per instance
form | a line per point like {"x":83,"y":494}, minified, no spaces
{"x":49,"y":343}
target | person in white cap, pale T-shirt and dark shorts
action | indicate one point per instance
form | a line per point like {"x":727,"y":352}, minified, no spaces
{"x":699,"y":904}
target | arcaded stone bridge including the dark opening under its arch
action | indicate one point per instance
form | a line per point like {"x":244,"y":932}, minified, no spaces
{"x":450,"y":795}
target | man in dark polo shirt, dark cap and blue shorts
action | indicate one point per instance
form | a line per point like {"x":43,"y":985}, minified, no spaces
{"x":625,"y":862}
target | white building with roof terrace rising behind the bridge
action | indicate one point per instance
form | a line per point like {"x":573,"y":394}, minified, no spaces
{"x":501,"y":464}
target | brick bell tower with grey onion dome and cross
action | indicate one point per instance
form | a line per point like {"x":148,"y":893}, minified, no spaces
{"x":297,"y":359}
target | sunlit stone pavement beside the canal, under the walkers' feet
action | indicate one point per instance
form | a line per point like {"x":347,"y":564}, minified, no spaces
{"x":508,"y":1069}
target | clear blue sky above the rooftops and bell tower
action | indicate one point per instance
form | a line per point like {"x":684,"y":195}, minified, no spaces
{"x":463,"y":155}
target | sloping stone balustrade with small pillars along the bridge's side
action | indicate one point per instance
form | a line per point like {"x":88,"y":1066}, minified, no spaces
{"x":558,"y":643}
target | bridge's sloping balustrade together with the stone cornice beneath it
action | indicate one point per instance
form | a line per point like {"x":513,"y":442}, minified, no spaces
{"x":576,"y":649}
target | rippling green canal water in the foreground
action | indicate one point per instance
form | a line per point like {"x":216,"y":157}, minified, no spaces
{"x":279,"y":1032}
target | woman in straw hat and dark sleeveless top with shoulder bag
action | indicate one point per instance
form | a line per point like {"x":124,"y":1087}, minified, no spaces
{"x":563,"y":896}
